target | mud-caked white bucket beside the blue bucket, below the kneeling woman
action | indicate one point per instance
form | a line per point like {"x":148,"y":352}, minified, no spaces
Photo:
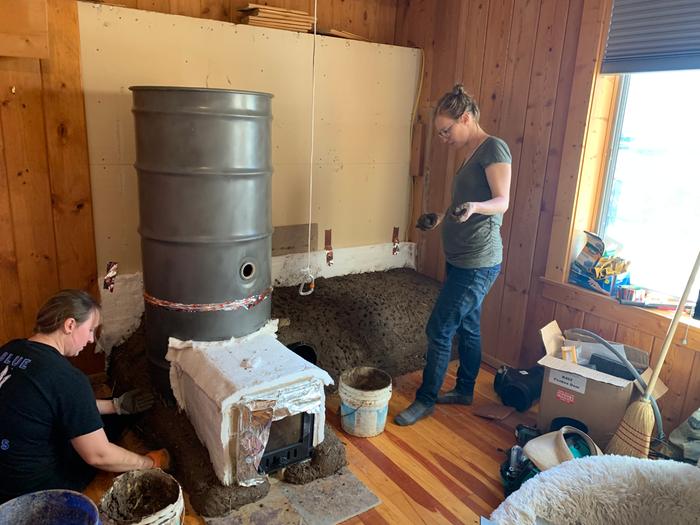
{"x":143,"y":497}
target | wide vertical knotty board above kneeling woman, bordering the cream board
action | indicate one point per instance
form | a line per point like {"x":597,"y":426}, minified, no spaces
{"x":66,"y":139}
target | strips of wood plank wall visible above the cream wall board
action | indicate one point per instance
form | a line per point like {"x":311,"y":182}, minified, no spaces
{"x":372,"y":19}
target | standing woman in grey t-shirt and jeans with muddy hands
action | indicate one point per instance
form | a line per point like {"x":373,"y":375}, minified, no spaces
{"x":471,"y":239}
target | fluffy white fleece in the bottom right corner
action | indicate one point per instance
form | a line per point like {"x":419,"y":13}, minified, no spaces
{"x":607,"y":490}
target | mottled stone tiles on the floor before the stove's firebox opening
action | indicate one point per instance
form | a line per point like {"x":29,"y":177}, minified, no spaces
{"x":324,"y":501}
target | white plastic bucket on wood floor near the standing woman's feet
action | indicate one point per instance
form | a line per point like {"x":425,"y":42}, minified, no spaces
{"x":364,"y":400}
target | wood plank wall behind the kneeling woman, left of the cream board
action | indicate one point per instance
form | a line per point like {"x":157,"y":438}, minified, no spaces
{"x":46,"y":230}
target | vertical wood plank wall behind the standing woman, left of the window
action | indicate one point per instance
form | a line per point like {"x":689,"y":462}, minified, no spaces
{"x":517,"y":57}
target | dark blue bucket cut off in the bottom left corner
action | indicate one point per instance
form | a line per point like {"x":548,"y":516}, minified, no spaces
{"x":49,"y":507}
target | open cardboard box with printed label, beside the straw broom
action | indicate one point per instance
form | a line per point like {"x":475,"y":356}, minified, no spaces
{"x":572,"y":390}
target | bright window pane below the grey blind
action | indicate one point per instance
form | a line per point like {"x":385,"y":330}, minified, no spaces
{"x":651,"y":201}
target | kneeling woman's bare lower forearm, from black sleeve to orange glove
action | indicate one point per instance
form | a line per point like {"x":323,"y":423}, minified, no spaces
{"x":96,"y":450}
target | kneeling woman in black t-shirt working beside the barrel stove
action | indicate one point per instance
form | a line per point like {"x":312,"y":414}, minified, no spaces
{"x":51,"y":432}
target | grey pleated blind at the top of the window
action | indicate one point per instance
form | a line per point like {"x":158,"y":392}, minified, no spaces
{"x":653,"y":35}
